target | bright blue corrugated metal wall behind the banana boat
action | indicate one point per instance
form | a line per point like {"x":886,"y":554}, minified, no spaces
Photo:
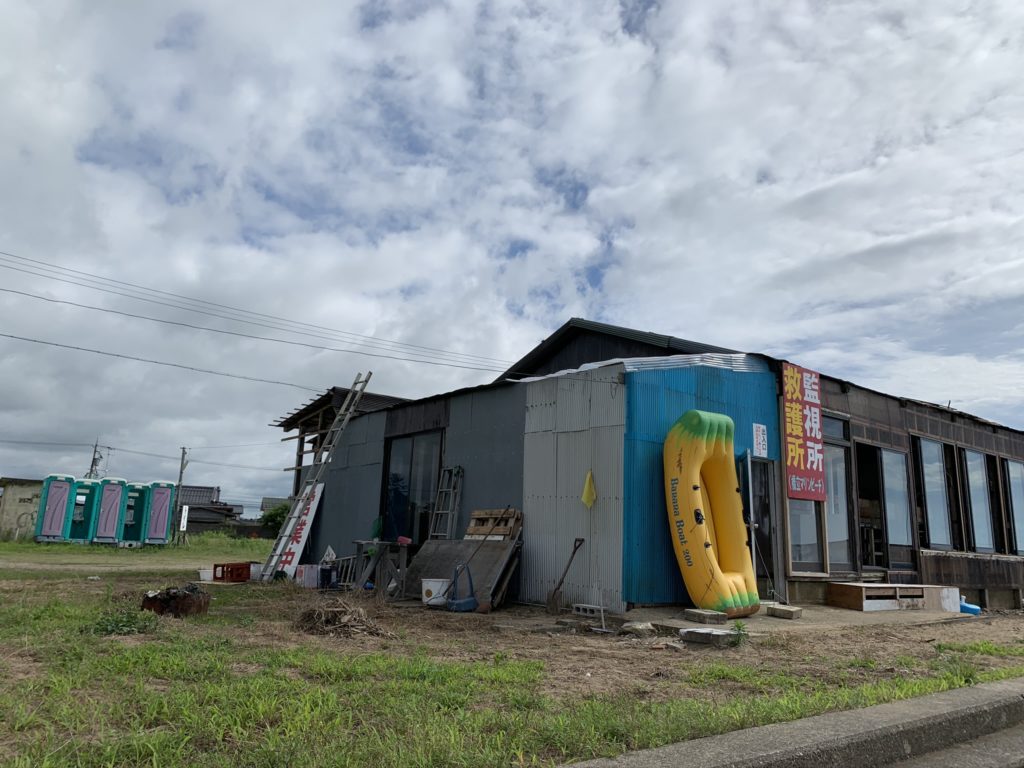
{"x":656,"y":400}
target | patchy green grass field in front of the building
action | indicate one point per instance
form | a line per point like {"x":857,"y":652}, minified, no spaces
{"x":89,"y":680}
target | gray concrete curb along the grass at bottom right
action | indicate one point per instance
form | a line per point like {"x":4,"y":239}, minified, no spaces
{"x":857,"y":739}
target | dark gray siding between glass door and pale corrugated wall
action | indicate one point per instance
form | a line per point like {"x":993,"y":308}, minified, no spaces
{"x":485,"y":438}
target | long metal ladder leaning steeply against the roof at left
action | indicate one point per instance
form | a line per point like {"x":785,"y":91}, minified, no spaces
{"x":292,"y":538}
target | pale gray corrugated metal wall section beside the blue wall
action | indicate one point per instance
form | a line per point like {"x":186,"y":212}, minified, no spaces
{"x":575,"y":424}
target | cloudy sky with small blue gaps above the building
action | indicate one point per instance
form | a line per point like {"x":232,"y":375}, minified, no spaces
{"x":840,"y":185}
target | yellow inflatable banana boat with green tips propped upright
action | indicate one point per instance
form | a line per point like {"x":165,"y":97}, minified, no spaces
{"x":706,"y":515}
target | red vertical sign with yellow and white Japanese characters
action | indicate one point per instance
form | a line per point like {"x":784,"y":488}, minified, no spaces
{"x":805,"y":472}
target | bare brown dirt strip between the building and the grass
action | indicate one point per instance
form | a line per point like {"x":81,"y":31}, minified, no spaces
{"x":581,"y":663}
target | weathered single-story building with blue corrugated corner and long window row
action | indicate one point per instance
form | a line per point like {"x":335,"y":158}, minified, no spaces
{"x":842,"y":483}
